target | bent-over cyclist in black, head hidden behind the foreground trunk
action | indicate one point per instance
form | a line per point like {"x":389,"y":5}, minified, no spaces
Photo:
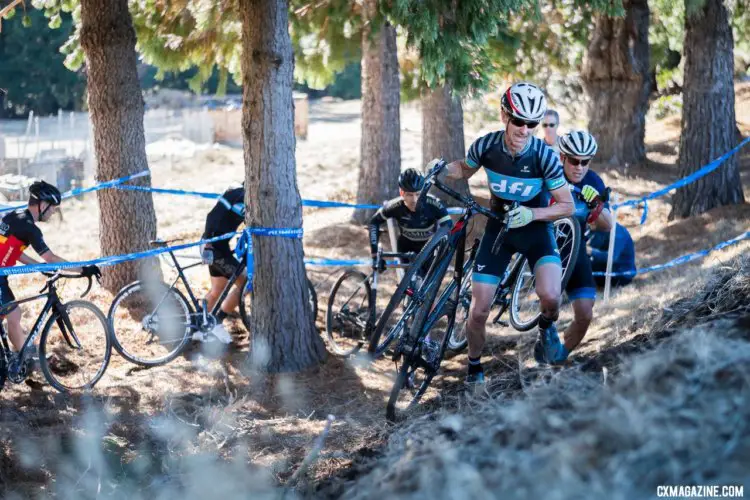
{"x":225,"y":217}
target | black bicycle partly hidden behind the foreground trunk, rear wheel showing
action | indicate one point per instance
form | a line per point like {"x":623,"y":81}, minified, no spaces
{"x":152,"y":322}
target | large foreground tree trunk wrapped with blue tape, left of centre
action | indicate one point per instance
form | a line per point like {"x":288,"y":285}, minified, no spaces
{"x":284,"y":337}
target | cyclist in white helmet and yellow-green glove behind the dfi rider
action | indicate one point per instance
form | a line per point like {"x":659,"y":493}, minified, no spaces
{"x":577,"y":149}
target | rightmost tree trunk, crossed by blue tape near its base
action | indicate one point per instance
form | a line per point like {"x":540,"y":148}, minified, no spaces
{"x":708,"y":117}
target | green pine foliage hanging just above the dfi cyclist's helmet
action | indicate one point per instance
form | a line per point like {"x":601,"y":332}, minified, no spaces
{"x":473,"y":43}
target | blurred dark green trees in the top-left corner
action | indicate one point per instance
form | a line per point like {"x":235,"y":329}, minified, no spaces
{"x":32,"y":70}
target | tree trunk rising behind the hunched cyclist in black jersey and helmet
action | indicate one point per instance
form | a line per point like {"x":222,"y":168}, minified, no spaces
{"x":380,"y":162}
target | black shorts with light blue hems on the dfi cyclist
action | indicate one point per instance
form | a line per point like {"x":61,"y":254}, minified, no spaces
{"x":535,"y":241}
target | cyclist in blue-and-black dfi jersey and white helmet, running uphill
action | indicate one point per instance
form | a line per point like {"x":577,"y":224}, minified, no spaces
{"x":520,"y":168}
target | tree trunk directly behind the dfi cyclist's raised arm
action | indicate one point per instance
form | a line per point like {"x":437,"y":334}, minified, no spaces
{"x":443,"y":133}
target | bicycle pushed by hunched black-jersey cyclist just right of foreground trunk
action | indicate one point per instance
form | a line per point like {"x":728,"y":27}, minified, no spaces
{"x":352,"y":304}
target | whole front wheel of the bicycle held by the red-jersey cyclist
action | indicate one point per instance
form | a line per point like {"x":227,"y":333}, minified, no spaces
{"x":78,"y":340}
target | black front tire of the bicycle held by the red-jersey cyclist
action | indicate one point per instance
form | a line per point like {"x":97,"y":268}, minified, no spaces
{"x":56,"y":318}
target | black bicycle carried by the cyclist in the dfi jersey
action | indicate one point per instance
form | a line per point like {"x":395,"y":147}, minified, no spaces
{"x":418,"y":368}
